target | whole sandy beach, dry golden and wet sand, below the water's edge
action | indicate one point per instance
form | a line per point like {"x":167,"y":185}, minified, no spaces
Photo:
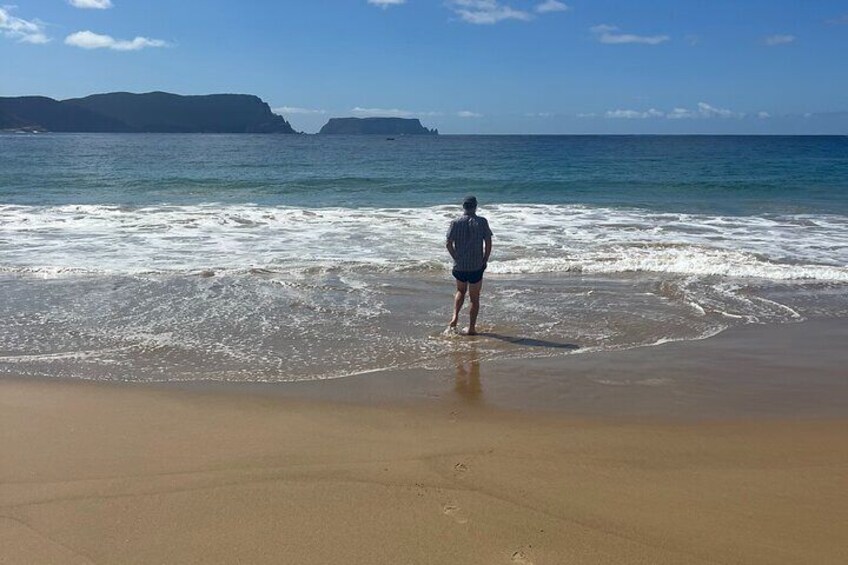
{"x":98,"y":473}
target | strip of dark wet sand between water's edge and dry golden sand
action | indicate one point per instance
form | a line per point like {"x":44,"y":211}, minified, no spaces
{"x":743,"y":372}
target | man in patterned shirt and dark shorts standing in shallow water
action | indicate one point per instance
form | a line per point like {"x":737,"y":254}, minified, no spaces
{"x":469,"y":242}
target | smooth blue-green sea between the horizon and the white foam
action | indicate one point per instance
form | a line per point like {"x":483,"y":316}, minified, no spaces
{"x":728,"y":175}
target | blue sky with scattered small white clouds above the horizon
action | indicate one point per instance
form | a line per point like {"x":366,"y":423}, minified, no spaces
{"x":463,"y":66}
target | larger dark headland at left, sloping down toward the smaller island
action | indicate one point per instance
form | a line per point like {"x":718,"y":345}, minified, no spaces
{"x":153,"y":112}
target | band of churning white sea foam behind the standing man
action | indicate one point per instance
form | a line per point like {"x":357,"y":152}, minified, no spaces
{"x":51,"y":241}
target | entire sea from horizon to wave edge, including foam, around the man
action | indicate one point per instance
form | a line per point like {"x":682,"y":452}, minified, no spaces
{"x":148,"y":257}
